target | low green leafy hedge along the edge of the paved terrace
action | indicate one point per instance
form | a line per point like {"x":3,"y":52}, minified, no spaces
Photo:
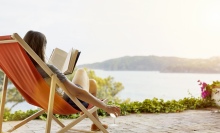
{"x":147,"y":106}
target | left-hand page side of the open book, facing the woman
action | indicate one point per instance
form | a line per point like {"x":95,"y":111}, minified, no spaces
{"x":58,"y":58}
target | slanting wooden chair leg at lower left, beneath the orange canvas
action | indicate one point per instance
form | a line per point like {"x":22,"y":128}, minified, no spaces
{"x":27,"y":120}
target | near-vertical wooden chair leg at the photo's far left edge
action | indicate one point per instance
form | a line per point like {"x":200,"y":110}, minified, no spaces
{"x":3,"y":99}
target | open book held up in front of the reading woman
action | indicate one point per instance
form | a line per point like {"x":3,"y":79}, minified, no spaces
{"x":64,"y":61}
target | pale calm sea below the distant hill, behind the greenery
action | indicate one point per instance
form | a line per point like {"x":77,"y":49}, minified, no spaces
{"x":141,"y":85}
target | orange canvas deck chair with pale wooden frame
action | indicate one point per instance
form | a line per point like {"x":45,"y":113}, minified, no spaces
{"x":18,"y":68}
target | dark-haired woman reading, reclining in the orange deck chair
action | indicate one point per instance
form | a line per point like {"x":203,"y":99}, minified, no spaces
{"x":82,"y":87}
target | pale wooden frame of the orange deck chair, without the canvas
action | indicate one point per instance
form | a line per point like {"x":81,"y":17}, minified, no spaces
{"x":54,"y":81}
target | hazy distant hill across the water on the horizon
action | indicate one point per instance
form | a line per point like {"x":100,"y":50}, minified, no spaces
{"x":156,"y":63}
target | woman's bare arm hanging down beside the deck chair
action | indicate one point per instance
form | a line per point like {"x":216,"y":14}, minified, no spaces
{"x":89,"y":98}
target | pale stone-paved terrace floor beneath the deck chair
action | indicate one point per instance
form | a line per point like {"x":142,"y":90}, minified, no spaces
{"x":191,"y":121}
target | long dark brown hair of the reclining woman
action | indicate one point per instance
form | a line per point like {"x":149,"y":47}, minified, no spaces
{"x":37,"y":41}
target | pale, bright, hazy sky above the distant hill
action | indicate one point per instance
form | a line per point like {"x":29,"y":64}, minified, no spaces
{"x":107,"y":29}
